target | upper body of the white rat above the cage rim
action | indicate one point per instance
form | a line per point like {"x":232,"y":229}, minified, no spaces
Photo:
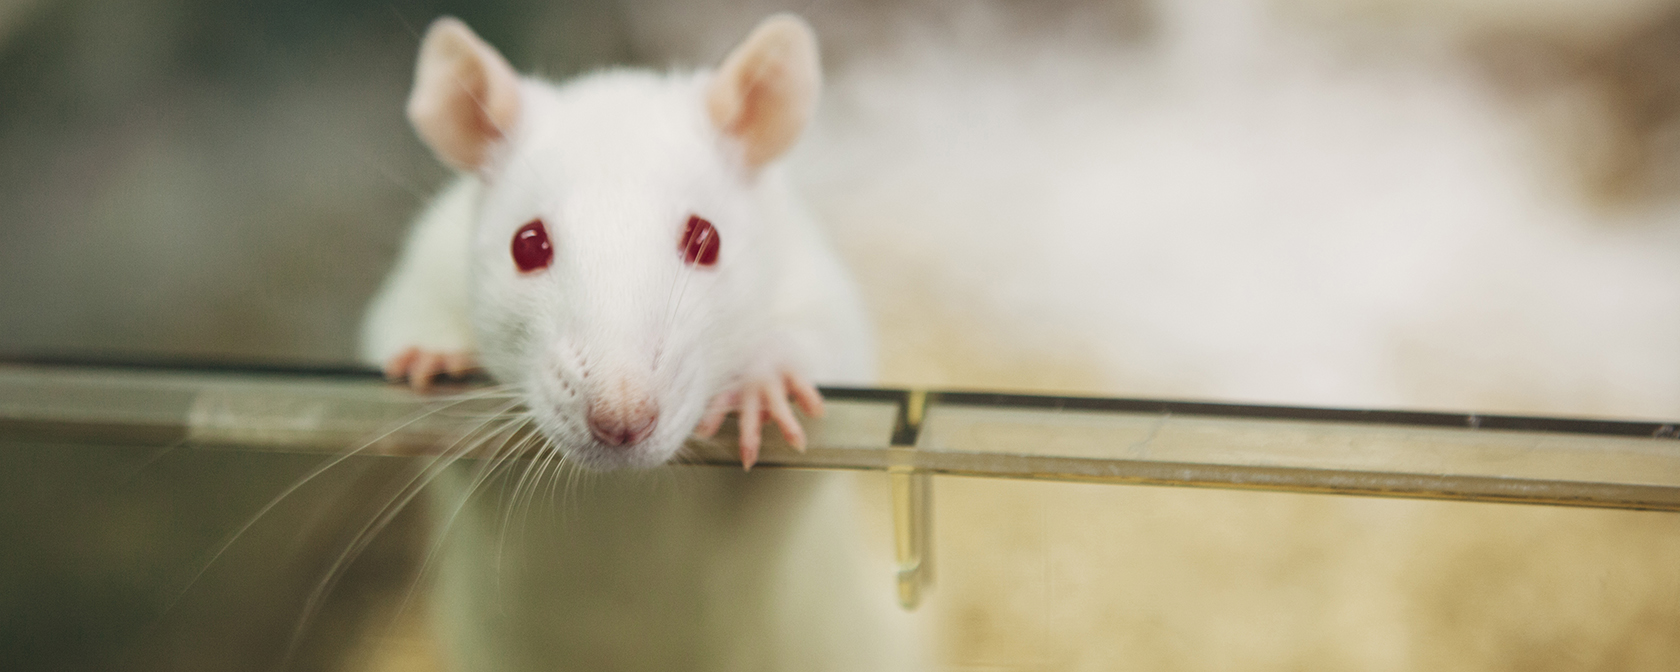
{"x":619,"y":333}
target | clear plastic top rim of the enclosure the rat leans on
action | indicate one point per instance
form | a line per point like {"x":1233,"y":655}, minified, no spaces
{"x":1357,"y":453}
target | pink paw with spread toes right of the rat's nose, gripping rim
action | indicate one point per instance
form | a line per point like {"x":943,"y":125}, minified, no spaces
{"x":755,"y":401}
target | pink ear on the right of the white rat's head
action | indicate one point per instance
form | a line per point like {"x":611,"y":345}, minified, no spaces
{"x":767,"y":88}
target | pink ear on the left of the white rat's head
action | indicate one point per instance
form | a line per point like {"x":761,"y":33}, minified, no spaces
{"x":466,"y":97}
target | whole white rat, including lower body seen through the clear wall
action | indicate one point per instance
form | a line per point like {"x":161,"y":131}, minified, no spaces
{"x":624,"y":251}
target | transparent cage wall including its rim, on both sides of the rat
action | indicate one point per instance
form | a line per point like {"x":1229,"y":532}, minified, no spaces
{"x":1031,"y":549}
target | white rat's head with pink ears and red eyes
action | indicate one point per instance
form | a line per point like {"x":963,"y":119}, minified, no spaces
{"x":624,"y":234}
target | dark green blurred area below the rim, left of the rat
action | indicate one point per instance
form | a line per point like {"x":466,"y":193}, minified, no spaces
{"x":110,"y":559}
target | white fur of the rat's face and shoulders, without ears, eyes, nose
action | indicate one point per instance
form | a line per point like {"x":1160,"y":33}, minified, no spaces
{"x":614,"y":164}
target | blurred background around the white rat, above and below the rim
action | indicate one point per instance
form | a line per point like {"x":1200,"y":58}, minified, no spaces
{"x":1427,"y":204}
